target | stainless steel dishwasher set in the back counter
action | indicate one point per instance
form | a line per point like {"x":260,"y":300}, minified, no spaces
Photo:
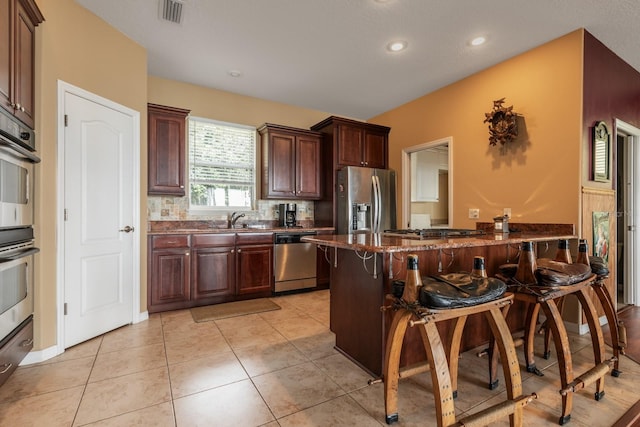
{"x":295,"y":262}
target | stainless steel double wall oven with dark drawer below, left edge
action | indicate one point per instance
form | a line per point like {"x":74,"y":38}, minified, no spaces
{"x":17,"y":245}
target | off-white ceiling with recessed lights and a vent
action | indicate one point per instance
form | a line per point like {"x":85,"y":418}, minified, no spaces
{"x":330,"y":55}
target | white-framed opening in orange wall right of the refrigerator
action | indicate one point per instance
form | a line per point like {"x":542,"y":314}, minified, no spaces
{"x":427,"y":190}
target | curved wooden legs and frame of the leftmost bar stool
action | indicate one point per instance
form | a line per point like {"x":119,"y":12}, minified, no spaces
{"x":444,"y":367}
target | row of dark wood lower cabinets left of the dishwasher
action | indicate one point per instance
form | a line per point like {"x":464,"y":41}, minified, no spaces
{"x":200,"y":269}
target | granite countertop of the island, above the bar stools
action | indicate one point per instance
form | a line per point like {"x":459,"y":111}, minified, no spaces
{"x":381,"y":243}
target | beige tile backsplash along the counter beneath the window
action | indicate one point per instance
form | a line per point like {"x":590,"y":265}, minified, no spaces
{"x":165,"y":208}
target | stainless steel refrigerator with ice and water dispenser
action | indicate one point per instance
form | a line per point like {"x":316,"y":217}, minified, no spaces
{"x":366,"y":200}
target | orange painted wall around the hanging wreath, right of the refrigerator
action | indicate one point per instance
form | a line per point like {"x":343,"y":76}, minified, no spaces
{"x":538,"y":175}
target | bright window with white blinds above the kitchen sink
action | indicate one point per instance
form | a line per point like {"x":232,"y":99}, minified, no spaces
{"x":222,"y":165}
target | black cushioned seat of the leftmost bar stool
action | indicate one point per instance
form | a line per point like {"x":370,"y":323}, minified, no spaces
{"x":455,"y":290}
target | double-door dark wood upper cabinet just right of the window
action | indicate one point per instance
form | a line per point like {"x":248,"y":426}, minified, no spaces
{"x":291,"y":165}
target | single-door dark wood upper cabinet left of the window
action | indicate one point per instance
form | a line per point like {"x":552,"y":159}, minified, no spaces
{"x":167,"y":150}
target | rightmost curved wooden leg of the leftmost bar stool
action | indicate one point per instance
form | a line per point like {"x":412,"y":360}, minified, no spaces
{"x":510,"y":364}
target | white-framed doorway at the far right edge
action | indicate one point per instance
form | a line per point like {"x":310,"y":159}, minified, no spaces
{"x":627,"y":138}
